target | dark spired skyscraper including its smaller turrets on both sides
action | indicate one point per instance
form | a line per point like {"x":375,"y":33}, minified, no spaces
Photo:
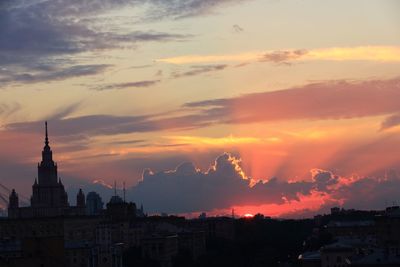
{"x":49,"y":198}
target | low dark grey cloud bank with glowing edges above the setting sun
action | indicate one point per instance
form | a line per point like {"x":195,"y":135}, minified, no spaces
{"x":225,"y":185}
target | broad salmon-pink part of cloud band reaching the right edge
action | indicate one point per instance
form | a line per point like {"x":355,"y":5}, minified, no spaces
{"x":323,"y":101}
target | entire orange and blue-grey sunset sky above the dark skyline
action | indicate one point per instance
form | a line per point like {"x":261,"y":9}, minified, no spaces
{"x":283,"y":107}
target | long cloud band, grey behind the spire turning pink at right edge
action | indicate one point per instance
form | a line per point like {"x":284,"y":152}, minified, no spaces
{"x":330,"y":100}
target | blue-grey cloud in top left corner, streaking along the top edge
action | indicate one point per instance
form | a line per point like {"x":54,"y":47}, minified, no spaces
{"x":43,"y":28}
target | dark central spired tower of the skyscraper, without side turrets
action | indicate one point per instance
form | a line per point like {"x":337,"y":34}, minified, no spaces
{"x":48,"y":191}
